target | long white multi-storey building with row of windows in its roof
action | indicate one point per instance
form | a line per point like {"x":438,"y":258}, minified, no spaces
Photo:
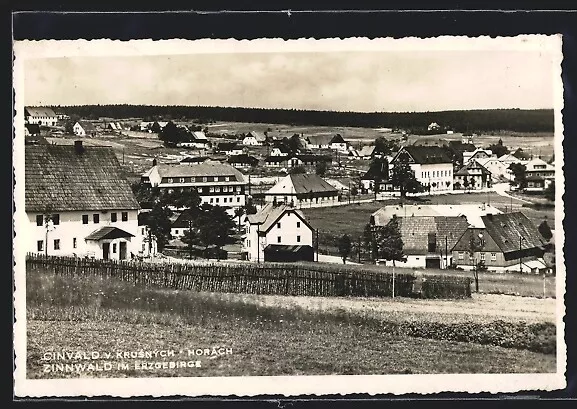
{"x":216,"y":183}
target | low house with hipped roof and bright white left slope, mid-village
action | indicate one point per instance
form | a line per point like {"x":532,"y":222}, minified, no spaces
{"x":302,"y":190}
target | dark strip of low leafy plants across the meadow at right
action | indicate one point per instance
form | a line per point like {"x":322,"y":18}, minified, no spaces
{"x":540,"y":337}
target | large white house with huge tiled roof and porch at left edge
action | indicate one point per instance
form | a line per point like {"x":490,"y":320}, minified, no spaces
{"x":78,"y":202}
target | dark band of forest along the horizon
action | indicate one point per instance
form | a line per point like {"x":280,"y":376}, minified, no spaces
{"x":518,"y":120}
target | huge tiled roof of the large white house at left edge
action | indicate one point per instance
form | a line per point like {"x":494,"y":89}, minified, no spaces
{"x":58,"y":178}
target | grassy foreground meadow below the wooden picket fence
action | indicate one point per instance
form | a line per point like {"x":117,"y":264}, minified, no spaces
{"x":273,"y":335}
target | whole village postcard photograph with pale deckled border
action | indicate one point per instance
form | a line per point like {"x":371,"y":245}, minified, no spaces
{"x":289,"y":217}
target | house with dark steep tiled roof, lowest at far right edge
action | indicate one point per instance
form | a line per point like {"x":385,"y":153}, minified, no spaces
{"x":509,"y":242}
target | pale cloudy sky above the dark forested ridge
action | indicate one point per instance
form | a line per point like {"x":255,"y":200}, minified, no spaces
{"x":363,"y":81}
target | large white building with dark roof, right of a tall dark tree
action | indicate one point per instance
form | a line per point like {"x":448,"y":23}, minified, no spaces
{"x":431,"y":164}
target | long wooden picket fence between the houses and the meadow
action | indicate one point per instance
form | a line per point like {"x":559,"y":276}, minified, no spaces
{"x":266,"y":278}
